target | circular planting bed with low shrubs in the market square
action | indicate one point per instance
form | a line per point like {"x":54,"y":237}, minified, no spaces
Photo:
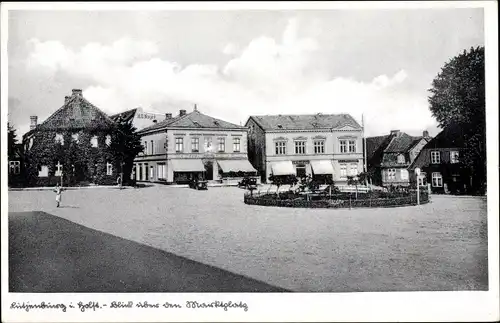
{"x":342,"y":200}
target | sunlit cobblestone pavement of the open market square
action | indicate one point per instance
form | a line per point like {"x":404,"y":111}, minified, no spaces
{"x":438,"y":246}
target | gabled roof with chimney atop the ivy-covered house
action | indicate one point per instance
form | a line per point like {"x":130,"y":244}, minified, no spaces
{"x":76,"y":113}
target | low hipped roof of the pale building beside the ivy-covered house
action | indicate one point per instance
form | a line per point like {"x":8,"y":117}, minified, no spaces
{"x":194,"y":119}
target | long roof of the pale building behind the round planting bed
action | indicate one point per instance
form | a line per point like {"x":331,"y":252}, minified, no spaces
{"x":305,"y":121}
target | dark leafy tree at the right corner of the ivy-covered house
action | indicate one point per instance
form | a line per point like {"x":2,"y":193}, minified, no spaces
{"x":125,"y":146}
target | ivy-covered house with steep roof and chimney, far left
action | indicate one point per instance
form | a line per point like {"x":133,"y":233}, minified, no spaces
{"x":71,"y":146}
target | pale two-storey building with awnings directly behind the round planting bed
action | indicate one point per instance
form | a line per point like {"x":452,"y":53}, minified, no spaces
{"x":321,"y":145}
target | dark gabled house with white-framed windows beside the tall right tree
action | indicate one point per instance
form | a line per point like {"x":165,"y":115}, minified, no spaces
{"x":441,"y":165}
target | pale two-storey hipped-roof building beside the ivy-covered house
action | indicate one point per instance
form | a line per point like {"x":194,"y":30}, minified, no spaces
{"x":193,"y":145}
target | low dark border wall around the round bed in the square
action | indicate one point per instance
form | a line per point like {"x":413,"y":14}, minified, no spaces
{"x":272,"y":200}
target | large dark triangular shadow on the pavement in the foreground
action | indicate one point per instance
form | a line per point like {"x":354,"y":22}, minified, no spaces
{"x":48,"y":254}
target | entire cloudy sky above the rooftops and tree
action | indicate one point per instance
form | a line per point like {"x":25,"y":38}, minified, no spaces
{"x":233,"y":64}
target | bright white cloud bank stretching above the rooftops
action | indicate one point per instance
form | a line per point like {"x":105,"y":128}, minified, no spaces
{"x":267,"y":76}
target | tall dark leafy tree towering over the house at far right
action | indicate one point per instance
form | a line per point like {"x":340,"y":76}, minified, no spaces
{"x":458,"y":99}
